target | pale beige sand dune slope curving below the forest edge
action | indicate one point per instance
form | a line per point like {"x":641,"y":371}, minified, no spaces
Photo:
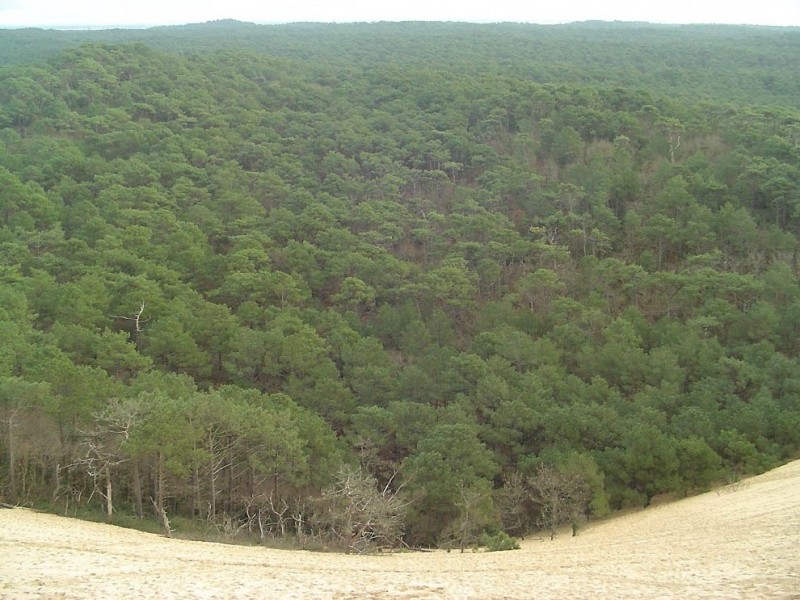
{"x":739,"y":542}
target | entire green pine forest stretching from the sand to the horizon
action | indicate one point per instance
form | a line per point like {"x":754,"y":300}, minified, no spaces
{"x":372,"y":285}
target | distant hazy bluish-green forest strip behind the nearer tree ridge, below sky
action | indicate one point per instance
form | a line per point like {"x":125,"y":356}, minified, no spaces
{"x":746,"y":64}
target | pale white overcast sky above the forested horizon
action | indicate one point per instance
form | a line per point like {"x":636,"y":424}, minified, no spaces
{"x":99,"y":13}
